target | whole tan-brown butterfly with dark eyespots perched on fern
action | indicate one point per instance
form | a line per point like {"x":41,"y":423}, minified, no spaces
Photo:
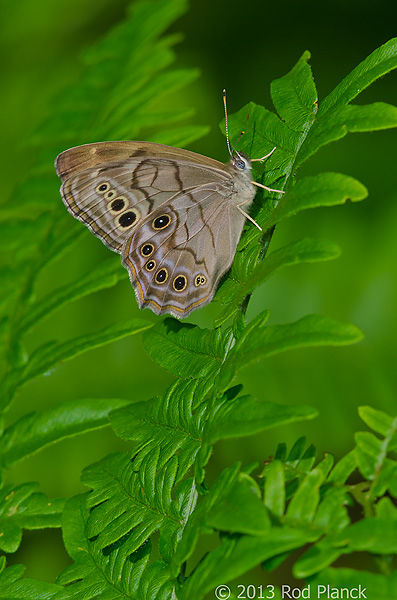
{"x":174,"y":216}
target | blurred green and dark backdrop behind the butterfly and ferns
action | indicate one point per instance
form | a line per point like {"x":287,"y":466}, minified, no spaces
{"x":242,"y":47}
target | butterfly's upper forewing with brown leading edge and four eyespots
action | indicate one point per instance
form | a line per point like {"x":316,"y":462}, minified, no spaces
{"x":112,"y":186}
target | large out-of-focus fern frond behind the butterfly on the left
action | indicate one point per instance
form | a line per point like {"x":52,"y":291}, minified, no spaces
{"x":123,"y":87}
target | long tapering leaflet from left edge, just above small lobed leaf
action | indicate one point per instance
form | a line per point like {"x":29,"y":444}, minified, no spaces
{"x":37,"y":430}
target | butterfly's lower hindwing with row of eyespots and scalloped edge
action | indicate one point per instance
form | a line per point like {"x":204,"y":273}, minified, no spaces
{"x":177,"y":256}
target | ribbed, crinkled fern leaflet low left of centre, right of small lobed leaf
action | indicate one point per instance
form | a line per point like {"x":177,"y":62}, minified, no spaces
{"x":128,"y":506}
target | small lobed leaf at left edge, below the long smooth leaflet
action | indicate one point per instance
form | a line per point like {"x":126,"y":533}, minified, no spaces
{"x":21,"y":508}
